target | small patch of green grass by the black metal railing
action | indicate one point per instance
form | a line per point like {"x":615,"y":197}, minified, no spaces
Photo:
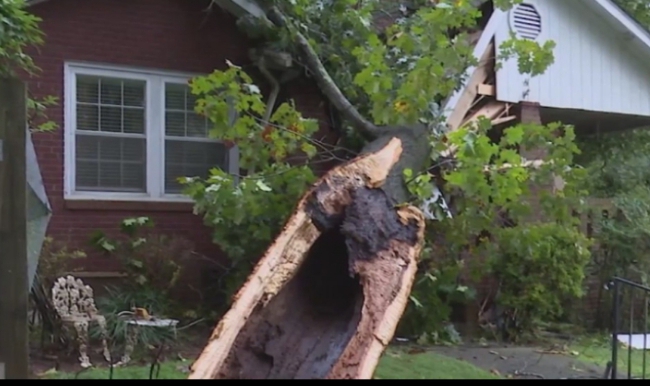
{"x":598,"y":350}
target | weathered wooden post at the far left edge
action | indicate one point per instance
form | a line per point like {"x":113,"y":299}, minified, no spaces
{"x":14,"y":352}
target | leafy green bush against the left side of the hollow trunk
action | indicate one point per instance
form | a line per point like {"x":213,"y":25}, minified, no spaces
{"x":246,"y":215}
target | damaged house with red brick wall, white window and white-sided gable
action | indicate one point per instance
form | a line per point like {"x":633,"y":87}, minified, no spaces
{"x":143,"y":71}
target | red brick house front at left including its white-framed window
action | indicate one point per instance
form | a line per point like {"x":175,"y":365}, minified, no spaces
{"x":127,"y":129}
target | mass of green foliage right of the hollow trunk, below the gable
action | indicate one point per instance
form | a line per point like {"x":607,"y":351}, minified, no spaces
{"x":490,"y":186}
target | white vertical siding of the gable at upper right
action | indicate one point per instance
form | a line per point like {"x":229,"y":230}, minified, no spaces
{"x":594,"y":68}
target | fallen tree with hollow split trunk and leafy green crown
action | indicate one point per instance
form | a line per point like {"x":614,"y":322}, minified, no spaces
{"x":326,"y":296}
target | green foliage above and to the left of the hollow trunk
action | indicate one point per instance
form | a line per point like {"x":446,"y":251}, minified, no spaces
{"x":394,"y":75}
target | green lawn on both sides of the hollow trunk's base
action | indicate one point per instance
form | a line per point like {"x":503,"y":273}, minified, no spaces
{"x":396,"y":364}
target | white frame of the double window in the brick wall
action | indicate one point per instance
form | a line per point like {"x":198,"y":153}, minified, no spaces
{"x":154,"y":131}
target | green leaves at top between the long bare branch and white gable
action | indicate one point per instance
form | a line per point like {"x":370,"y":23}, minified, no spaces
{"x":396,"y":74}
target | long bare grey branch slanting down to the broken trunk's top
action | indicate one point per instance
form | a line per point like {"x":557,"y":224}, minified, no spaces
{"x":324,"y":80}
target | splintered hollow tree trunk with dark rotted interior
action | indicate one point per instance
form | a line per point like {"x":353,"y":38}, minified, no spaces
{"x":325,"y":299}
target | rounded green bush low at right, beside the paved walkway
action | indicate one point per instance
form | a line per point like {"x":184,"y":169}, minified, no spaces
{"x":538,"y":267}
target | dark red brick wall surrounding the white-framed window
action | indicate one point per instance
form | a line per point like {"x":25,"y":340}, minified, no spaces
{"x":177,"y":35}
